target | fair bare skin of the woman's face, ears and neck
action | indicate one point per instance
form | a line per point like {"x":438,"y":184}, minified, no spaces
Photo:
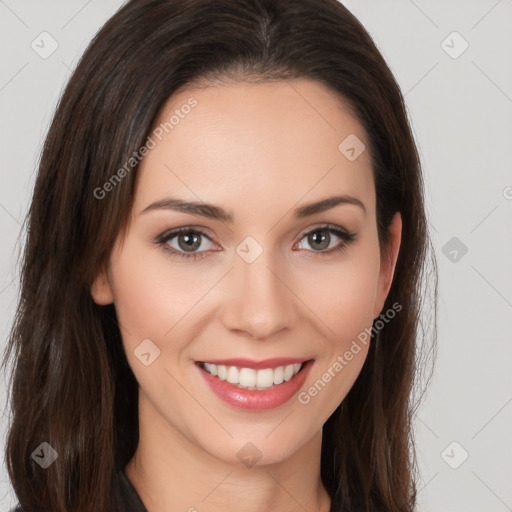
{"x":258,"y":151}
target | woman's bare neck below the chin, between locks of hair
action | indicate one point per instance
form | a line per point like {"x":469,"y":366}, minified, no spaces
{"x":170,"y":472}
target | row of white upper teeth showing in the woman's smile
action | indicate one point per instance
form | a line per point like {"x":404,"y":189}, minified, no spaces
{"x":253,"y":379}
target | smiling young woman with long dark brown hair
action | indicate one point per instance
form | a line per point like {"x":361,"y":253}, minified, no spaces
{"x":221,"y":285}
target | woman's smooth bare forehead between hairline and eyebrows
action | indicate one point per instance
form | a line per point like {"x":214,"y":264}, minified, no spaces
{"x":256,"y":145}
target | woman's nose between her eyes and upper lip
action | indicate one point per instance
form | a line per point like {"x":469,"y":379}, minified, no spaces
{"x":260,"y":302}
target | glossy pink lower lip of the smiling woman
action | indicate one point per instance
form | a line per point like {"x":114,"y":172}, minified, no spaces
{"x":254,"y":400}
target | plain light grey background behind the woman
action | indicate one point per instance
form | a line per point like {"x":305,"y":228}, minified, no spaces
{"x":461,"y":112}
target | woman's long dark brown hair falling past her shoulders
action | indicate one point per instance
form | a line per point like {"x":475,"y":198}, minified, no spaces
{"x":71,"y":384}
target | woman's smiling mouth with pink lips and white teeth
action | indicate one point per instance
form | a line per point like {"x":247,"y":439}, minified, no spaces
{"x":255,"y":385}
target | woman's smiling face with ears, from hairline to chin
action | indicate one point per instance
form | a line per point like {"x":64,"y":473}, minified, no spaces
{"x":261,"y":283}
